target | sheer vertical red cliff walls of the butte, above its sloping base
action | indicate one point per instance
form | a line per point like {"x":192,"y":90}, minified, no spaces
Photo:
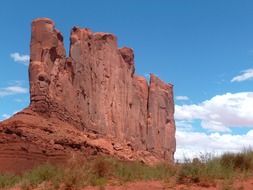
{"x":96,"y":90}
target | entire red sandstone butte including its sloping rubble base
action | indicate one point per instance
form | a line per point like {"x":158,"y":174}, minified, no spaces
{"x":90,"y":102}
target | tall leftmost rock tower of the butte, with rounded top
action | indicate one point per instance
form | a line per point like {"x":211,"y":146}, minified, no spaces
{"x":45,"y":48}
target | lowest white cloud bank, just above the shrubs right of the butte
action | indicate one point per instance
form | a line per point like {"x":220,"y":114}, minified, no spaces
{"x":193,"y":144}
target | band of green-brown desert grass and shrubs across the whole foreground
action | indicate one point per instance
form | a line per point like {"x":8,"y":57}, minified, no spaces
{"x":99,"y":171}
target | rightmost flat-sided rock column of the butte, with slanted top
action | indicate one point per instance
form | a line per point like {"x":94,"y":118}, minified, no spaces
{"x":161,"y":125}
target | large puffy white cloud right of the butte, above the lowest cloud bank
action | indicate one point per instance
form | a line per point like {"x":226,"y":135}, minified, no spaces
{"x":220,"y":112}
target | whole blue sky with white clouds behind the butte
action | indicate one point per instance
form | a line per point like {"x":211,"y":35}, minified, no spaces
{"x":205,"y":48}
